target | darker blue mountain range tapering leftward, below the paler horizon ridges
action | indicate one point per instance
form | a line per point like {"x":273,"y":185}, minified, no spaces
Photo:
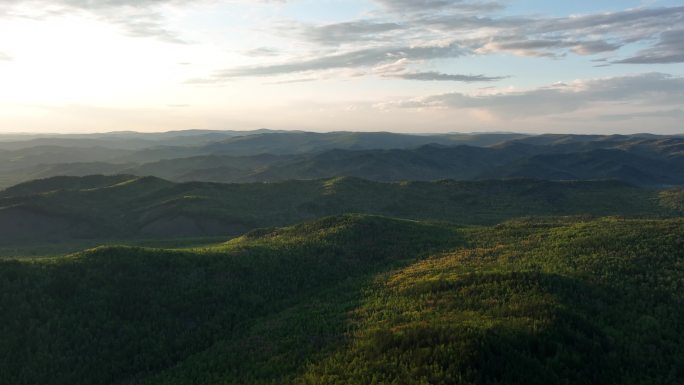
{"x":642,"y":162}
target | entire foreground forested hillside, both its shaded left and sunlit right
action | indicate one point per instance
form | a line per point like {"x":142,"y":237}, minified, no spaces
{"x":359,"y":300}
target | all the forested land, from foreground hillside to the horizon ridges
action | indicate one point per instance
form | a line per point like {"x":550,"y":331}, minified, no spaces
{"x":341,"y":258}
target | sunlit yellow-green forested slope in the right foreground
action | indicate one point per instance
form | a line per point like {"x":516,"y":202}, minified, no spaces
{"x":576,"y":303}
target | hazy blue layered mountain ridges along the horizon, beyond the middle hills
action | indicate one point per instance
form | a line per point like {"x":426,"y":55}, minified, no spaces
{"x":269,"y":156}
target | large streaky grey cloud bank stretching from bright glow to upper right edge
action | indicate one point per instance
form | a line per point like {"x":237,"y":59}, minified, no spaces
{"x":419,"y":31}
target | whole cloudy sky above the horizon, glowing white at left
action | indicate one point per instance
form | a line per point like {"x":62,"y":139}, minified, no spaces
{"x":423,"y":66}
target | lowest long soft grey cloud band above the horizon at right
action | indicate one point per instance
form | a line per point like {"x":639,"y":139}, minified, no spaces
{"x":651,"y":89}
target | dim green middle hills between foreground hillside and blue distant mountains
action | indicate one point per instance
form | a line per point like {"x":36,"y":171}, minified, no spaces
{"x":122,"y":207}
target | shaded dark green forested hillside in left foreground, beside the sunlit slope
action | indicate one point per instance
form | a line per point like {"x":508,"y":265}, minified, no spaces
{"x":113,"y":314}
